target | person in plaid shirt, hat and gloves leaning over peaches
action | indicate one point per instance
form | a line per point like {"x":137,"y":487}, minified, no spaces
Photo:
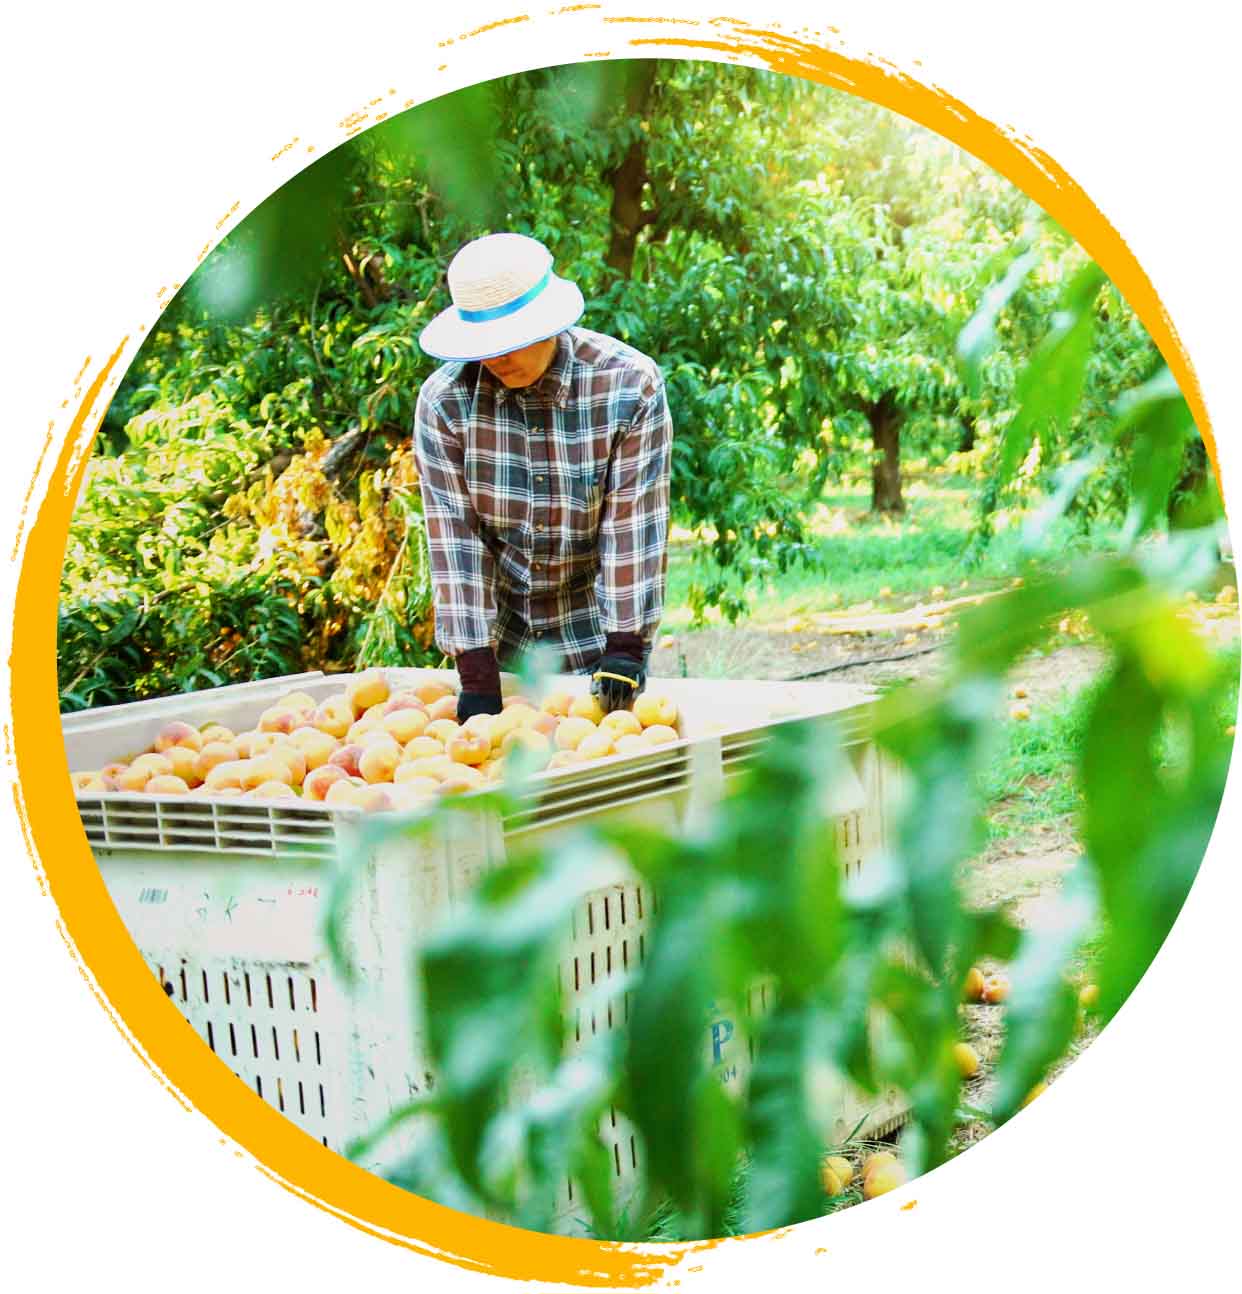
{"x":543,"y":452}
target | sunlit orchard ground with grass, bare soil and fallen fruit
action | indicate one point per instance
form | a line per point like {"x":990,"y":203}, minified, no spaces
{"x":880,"y":615}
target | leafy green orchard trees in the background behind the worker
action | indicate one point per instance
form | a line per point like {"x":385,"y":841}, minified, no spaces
{"x":799,"y":262}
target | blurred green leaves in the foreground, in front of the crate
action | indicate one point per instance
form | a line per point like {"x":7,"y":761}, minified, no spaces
{"x":865,"y":978}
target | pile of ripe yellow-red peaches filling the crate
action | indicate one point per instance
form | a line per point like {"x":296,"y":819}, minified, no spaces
{"x":380,"y":750}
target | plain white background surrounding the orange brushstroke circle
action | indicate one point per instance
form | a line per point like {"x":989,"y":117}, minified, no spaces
{"x":133,"y":131}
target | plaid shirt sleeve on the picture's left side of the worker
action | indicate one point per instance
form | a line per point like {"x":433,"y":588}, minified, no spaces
{"x":463,"y":567}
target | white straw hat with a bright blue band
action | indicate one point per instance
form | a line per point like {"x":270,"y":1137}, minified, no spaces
{"x":505,"y":297}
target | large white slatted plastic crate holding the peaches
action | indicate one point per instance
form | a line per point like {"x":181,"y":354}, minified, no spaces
{"x":226,"y":897}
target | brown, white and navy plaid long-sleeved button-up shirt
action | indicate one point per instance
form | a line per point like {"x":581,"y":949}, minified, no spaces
{"x":548,"y":507}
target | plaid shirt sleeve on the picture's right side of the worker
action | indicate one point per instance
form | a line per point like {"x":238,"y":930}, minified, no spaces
{"x":635,"y":522}
